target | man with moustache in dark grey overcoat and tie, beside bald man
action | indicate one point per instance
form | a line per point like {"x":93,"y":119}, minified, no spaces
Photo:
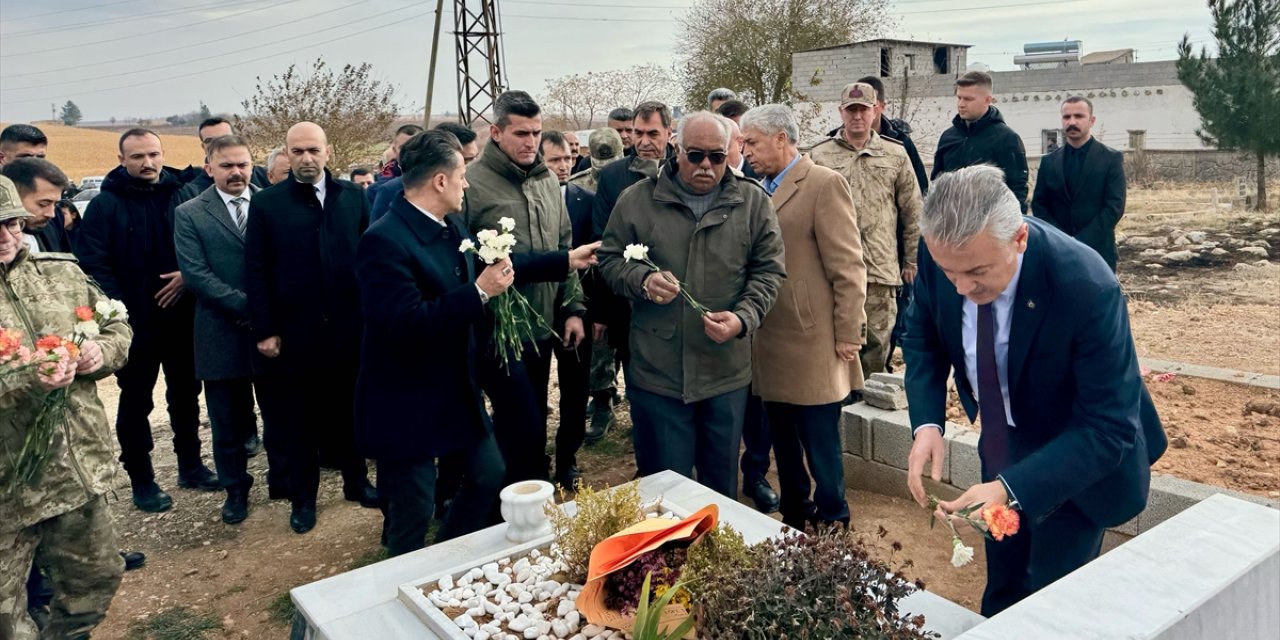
{"x":209,"y":234}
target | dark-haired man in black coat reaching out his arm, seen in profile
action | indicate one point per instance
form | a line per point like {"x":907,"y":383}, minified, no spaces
{"x":420,"y":378}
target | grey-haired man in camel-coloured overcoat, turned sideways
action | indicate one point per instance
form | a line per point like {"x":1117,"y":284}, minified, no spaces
{"x":803,"y":369}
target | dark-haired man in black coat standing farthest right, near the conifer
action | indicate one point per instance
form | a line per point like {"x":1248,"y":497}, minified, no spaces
{"x":1081,"y":188}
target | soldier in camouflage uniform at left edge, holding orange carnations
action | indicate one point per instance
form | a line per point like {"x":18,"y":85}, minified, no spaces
{"x":62,"y":519}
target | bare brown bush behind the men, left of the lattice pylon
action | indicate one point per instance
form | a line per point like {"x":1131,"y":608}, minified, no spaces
{"x":355,"y":111}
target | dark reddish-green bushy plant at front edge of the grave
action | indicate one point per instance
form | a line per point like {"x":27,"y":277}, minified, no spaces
{"x":808,"y":587}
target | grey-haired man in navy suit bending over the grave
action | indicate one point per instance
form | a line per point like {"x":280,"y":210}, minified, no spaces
{"x":1036,"y":327}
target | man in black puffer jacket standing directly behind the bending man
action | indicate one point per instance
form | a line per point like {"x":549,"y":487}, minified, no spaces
{"x":979,"y":135}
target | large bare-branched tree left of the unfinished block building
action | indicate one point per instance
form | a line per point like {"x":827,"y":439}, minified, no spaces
{"x":747,"y":45}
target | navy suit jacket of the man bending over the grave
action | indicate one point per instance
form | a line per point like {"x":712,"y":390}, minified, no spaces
{"x":1087,"y":431}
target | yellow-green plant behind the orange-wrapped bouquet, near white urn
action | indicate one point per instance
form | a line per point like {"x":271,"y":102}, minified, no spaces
{"x":600,"y":515}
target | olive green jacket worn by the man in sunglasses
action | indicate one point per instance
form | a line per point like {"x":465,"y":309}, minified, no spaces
{"x":732,"y":260}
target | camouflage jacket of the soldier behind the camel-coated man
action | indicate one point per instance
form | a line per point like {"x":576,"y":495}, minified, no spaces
{"x":886,"y":200}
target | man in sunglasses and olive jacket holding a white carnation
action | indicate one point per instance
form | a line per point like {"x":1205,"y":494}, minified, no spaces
{"x":717,"y":240}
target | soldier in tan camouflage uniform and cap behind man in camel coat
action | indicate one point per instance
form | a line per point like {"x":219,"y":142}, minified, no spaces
{"x":888,"y":204}
